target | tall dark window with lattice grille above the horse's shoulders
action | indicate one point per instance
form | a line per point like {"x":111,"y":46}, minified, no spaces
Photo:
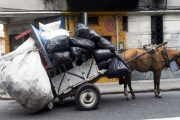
{"x":156,"y":30}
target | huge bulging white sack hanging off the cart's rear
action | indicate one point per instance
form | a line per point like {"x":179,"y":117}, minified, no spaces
{"x":25,"y":79}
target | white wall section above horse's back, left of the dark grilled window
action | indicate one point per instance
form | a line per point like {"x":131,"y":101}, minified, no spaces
{"x":139,"y":31}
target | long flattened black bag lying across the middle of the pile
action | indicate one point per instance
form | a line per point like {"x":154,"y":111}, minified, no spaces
{"x":82,"y":42}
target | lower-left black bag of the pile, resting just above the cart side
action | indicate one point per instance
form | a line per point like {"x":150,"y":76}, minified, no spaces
{"x":59,"y":58}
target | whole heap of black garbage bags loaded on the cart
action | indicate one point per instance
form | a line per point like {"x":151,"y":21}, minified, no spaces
{"x":63,"y":51}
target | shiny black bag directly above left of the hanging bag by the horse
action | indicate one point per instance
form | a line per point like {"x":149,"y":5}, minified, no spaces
{"x":102,"y":54}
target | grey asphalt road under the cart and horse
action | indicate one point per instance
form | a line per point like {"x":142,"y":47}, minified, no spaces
{"x":112,"y":107}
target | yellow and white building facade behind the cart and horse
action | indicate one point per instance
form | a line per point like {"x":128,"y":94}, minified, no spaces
{"x":126,"y":23}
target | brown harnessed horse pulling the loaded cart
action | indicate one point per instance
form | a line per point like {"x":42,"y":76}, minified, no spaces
{"x":155,"y":63}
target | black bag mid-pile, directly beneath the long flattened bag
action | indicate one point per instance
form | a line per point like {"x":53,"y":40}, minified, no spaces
{"x":78,"y":51}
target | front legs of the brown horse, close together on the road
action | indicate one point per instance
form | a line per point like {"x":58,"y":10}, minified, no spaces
{"x":157,"y":75}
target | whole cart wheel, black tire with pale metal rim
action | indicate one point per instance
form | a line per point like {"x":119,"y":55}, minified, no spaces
{"x":88,"y":97}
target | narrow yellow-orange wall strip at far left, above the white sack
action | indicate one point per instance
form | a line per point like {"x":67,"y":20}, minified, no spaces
{"x":6,"y":38}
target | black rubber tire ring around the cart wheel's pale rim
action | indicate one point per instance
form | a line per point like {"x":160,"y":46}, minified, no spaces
{"x":81,"y":89}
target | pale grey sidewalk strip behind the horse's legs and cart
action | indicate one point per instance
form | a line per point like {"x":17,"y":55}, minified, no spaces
{"x":138,"y":86}
